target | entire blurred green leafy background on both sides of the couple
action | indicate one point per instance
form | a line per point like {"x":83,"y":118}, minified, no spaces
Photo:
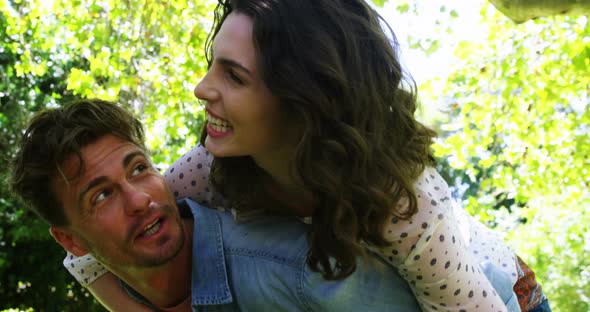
{"x":510,"y":102}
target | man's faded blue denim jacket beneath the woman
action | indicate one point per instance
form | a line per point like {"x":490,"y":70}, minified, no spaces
{"x":260,"y":265}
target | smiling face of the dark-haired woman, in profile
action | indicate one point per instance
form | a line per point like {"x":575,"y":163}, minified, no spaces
{"x":243,"y":117}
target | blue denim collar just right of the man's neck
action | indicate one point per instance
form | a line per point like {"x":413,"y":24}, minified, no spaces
{"x":210,"y":285}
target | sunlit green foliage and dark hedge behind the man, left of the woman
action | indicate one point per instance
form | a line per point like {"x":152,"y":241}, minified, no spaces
{"x":145,"y":54}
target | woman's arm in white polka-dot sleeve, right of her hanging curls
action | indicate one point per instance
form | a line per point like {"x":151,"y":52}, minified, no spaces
{"x":432,"y":255}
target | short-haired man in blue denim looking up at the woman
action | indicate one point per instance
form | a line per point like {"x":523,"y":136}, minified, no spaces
{"x":85,"y":170}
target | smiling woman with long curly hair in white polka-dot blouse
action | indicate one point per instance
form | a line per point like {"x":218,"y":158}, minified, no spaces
{"x":309,"y":114}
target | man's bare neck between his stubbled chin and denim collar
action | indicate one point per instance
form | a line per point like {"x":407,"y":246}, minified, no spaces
{"x":170,"y":284}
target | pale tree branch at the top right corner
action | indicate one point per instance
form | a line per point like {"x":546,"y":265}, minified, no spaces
{"x":523,"y":10}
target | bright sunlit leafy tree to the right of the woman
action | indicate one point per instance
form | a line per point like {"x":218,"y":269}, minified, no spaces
{"x":518,"y":128}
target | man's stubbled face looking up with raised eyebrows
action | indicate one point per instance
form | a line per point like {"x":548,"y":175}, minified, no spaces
{"x":120,"y":209}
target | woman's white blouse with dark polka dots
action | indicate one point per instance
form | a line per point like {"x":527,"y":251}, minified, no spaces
{"x":438,"y":251}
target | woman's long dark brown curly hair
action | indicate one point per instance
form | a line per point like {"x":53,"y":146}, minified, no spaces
{"x":334,"y":69}
